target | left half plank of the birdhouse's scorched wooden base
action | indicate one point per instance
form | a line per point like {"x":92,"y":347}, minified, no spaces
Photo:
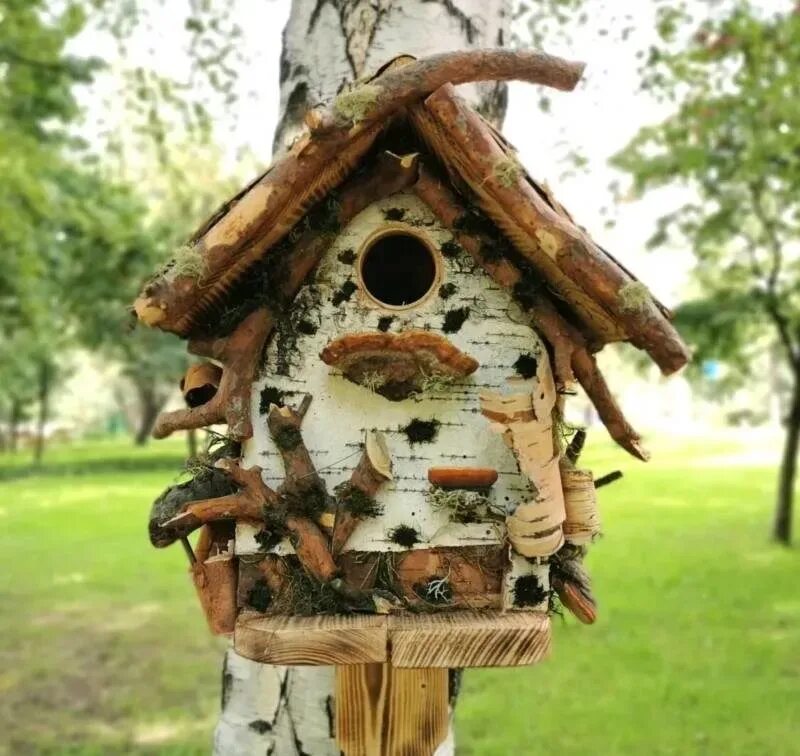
{"x":323,"y":640}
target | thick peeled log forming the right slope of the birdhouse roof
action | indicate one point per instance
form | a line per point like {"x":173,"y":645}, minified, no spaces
{"x":592,"y":282}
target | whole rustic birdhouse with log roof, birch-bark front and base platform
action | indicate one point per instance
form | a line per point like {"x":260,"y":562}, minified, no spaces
{"x":398,"y":312}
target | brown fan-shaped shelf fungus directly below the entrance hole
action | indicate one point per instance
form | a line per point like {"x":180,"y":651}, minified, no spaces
{"x":397,"y":365}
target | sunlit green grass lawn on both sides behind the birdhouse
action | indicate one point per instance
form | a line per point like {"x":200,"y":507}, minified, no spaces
{"x":697,"y":650}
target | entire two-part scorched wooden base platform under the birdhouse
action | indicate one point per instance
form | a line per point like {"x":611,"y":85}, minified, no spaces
{"x":454,"y":639}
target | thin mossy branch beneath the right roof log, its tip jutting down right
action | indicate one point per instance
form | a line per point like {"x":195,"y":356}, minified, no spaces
{"x":572,"y":357}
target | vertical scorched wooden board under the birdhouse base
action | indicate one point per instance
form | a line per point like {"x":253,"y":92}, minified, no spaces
{"x":386,"y":711}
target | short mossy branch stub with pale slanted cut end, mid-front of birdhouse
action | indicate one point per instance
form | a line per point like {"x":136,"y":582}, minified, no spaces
{"x":373,"y":469}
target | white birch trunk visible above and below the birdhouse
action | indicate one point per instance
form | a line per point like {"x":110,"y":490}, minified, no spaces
{"x":327,"y":44}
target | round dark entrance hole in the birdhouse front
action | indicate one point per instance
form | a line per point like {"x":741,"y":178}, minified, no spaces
{"x":398,"y":269}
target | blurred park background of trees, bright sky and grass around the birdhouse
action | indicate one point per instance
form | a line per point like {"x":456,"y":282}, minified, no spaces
{"x":122,"y":124}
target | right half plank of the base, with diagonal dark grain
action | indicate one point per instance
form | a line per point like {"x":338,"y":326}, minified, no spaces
{"x":469,"y":639}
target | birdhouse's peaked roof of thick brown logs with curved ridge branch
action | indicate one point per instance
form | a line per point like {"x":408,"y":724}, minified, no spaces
{"x":462,"y":167}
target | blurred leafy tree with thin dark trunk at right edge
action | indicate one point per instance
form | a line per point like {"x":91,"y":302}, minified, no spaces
{"x":734,"y":138}
